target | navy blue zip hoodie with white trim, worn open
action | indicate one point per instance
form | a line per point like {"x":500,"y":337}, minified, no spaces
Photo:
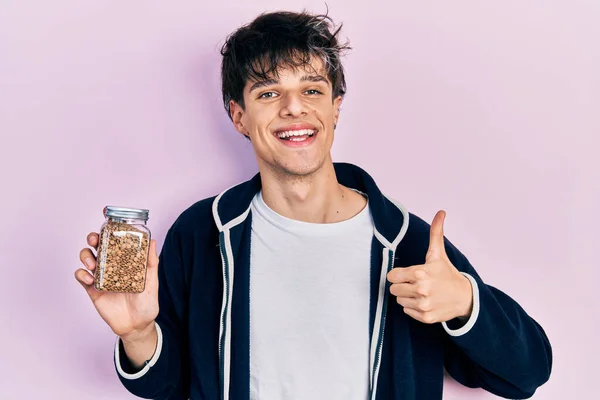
{"x":204,"y":320}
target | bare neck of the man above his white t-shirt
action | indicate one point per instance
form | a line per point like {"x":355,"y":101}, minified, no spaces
{"x":316,"y":198}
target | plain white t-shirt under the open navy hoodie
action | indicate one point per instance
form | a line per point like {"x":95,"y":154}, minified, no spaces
{"x":309,"y":307}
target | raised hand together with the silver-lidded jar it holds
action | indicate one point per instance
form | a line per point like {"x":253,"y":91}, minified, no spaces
{"x":124,"y":285}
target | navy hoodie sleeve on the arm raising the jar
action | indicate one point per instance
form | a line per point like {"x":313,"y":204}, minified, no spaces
{"x":165,"y":375}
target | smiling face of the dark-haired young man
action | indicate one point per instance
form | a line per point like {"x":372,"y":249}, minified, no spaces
{"x":290,"y":119}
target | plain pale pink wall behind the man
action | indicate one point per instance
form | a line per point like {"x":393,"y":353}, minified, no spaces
{"x":489,"y":111}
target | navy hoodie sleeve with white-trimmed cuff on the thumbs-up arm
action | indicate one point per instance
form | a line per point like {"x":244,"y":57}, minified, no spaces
{"x":500,"y":348}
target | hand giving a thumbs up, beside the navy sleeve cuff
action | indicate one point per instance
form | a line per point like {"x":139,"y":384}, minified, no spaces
{"x":435,"y":291}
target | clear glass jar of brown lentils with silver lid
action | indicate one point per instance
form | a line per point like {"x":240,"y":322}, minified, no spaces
{"x":123,"y":251}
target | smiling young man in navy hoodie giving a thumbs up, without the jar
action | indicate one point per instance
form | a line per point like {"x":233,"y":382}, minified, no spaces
{"x":306,"y":282}
